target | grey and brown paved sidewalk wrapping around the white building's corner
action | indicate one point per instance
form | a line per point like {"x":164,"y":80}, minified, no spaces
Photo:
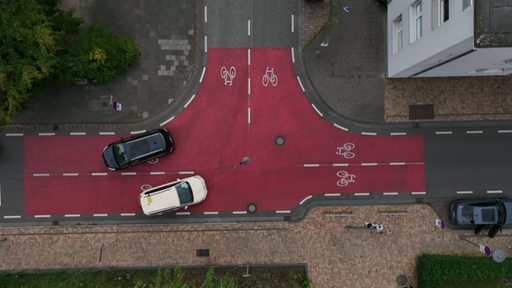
{"x":349,"y":73}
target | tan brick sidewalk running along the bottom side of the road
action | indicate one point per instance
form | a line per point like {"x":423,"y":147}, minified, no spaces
{"x":335,"y":255}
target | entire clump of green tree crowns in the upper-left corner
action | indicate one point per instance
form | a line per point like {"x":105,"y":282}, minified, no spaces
{"x":40,"y":42}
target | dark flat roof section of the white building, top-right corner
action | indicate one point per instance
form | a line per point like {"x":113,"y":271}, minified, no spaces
{"x":493,"y":23}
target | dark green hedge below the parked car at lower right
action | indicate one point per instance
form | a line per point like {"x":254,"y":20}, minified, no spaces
{"x":447,"y":271}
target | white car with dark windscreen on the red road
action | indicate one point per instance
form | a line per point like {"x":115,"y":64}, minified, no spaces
{"x":174,"y":195}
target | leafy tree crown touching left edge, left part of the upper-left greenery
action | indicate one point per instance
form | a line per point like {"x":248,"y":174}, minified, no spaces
{"x":27,"y":52}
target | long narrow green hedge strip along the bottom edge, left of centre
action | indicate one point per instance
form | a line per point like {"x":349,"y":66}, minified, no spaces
{"x":285,"y":277}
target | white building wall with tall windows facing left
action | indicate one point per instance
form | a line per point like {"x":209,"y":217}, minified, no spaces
{"x":438,"y":44}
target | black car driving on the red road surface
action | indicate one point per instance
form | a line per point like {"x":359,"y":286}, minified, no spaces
{"x":137,"y":149}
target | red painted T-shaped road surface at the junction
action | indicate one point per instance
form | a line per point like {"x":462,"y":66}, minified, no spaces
{"x":230,"y":118}
